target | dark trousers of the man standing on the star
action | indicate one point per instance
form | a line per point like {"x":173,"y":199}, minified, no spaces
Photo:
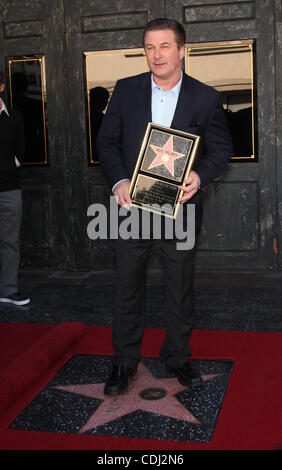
{"x":131,"y":258}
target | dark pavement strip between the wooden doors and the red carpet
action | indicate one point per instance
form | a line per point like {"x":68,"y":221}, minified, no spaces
{"x":224,"y":301}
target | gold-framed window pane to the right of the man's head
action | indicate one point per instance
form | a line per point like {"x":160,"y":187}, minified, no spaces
{"x":228,"y":67}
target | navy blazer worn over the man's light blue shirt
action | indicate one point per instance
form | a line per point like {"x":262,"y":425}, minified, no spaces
{"x":199,"y":111}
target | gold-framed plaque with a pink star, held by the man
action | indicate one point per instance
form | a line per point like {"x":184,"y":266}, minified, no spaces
{"x":165,"y":159}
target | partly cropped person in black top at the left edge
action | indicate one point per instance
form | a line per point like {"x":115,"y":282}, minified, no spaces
{"x":12,"y":145}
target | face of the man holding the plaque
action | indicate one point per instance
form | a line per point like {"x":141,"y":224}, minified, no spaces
{"x":163,"y":54}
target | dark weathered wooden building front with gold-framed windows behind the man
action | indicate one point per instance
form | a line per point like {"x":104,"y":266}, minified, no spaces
{"x":65,"y":48}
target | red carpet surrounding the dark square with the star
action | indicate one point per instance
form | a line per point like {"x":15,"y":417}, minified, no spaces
{"x":250,"y":417}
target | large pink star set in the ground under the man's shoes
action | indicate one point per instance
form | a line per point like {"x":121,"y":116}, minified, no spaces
{"x":145,"y":392}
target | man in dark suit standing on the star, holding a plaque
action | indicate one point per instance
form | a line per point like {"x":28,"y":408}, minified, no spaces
{"x":168,"y":97}
